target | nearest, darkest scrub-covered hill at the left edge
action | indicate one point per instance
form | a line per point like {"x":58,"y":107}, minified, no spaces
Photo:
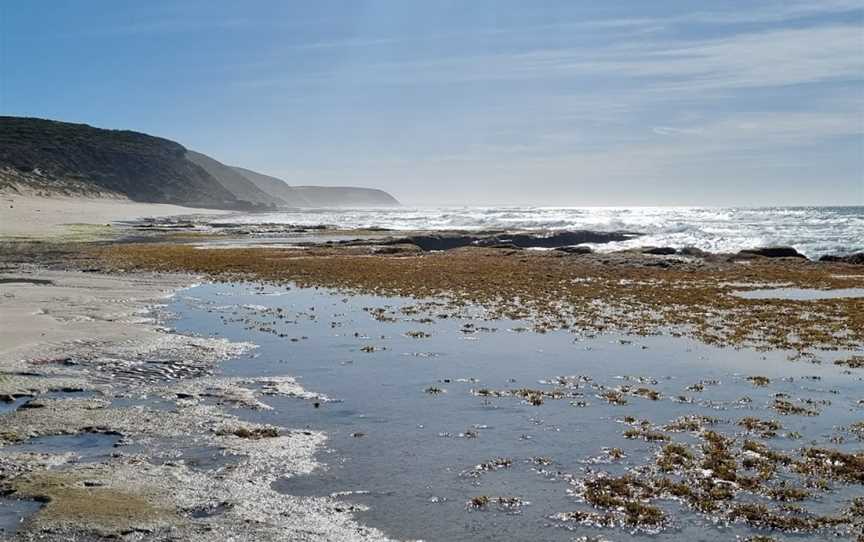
{"x":77,"y":158}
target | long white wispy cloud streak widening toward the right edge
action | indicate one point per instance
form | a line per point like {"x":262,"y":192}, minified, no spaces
{"x":756,"y":59}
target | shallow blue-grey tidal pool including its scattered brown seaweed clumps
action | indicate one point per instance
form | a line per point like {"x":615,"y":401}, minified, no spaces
{"x":449,"y":426}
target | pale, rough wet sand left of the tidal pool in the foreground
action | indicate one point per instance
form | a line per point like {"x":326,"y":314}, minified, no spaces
{"x":73,"y":343}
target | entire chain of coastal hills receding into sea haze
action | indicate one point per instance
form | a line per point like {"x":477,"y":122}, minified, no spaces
{"x":59,"y":158}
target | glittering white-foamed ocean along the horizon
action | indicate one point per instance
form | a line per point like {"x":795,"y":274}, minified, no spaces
{"x":813,"y":231}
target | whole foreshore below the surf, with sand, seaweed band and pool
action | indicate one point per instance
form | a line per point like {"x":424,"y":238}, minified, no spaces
{"x":330,"y":386}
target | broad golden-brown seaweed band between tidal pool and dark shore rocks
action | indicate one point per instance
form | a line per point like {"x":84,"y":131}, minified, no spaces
{"x":590,"y":294}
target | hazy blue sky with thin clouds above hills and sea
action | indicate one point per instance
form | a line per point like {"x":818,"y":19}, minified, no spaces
{"x":481,"y":102}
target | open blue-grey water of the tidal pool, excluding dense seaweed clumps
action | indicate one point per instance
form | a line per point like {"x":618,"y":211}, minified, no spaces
{"x":408,"y":454}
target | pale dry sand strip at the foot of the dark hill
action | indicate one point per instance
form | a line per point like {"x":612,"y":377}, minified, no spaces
{"x":32,"y":217}
